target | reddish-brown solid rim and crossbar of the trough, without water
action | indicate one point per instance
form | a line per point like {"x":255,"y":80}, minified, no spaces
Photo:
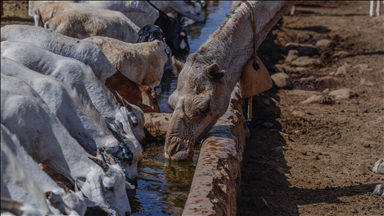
{"x":218,"y":172}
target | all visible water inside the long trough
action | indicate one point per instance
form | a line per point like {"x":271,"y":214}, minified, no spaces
{"x":163,"y":186}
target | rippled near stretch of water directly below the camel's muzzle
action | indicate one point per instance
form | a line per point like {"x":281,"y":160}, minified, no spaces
{"x":163,"y":186}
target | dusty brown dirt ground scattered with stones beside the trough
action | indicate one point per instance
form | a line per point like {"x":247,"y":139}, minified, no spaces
{"x":314,"y":158}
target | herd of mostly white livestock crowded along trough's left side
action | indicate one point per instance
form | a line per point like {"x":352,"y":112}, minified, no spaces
{"x":74,"y":89}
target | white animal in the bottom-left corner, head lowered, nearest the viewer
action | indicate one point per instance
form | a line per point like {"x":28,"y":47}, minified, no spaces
{"x":62,"y":200}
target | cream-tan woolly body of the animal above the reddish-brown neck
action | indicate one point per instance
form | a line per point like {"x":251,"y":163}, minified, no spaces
{"x":142,"y":63}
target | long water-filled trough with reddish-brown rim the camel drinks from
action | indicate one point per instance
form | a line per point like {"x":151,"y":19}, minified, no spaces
{"x":216,"y":178}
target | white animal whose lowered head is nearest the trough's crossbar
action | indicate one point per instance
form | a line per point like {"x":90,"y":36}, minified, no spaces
{"x":79,"y":76}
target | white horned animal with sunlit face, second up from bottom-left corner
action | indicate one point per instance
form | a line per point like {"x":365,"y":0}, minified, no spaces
{"x":47,"y":141}
